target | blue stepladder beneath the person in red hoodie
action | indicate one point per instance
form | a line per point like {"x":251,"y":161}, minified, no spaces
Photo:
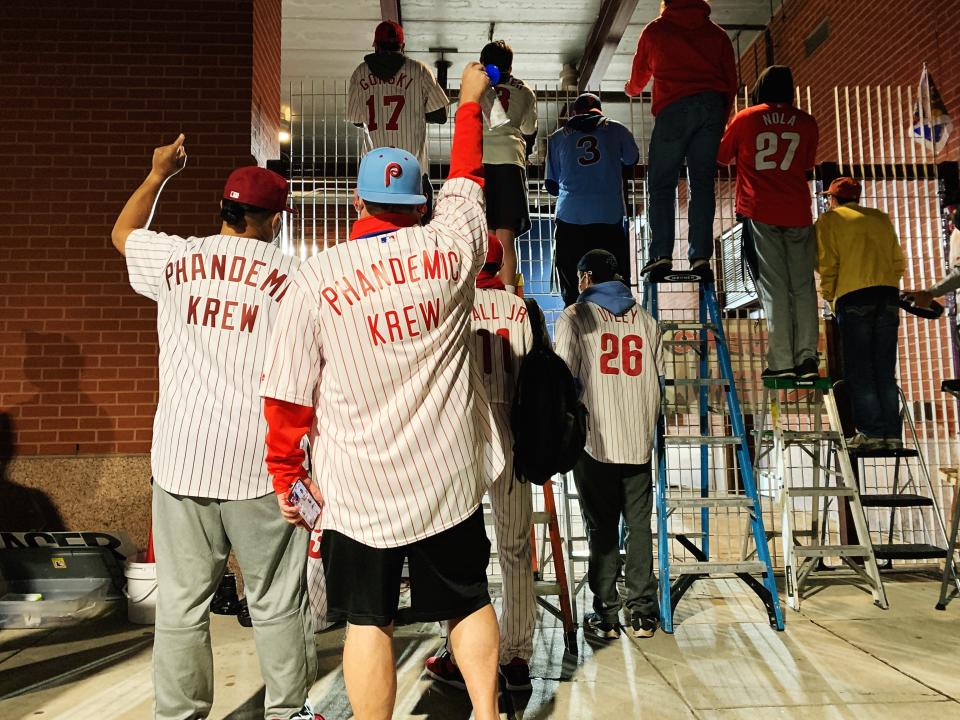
{"x":685,"y":512}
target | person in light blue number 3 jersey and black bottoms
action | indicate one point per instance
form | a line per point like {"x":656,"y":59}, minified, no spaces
{"x":585,"y":163}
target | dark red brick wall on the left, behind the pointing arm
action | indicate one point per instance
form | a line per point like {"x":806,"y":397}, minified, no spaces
{"x":87,"y":89}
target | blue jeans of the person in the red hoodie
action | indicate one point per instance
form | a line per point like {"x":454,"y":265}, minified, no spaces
{"x":688,"y":129}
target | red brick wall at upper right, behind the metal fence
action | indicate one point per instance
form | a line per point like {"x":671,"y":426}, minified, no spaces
{"x":869,"y":43}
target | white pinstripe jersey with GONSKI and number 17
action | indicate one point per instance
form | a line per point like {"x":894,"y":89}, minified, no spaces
{"x":394,"y":110}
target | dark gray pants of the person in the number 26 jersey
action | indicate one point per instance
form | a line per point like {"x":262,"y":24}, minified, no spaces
{"x":607,"y":491}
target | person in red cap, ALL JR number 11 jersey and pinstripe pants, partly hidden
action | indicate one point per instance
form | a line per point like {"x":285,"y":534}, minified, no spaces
{"x":502,"y":338}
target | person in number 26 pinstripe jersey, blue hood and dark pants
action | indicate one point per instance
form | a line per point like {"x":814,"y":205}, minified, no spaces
{"x":612,"y":347}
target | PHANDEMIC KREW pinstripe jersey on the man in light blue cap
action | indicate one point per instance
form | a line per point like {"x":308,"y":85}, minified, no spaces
{"x":376,"y":337}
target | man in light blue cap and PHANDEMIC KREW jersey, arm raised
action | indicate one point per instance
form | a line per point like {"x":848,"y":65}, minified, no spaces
{"x":371,"y":359}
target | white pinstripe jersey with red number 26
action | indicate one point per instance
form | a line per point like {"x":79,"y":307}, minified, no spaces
{"x":619,"y":360}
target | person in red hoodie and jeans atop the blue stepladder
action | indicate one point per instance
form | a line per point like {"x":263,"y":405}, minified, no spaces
{"x":694,"y":73}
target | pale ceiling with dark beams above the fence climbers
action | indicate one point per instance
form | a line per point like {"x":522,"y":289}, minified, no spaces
{"x":327,"y":39}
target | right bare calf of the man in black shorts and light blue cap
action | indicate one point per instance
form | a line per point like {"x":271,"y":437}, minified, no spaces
{"x":475,"y":642}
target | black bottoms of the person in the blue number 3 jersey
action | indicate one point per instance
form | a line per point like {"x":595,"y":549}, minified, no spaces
{"x":572,"y":242}
